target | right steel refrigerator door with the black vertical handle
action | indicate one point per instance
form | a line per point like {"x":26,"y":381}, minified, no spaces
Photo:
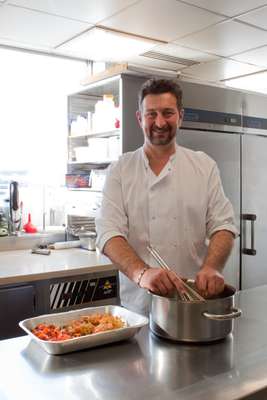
{"x":254,"y":211}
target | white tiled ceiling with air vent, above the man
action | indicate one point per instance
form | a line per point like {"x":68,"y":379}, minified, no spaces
{"x":205,"y":40}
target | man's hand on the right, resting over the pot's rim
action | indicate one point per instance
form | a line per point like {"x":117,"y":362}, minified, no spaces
{"x":209,"y":282}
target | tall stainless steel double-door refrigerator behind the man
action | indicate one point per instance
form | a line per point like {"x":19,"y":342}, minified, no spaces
{"x":230,"y":127}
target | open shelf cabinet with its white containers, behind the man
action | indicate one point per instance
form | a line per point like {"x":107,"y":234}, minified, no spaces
{"x":102,"y":126}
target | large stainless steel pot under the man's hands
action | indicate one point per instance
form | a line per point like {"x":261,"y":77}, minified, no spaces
{"x":193,"y":321}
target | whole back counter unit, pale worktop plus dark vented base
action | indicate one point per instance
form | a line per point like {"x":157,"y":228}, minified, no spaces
{"x":33,"y":284}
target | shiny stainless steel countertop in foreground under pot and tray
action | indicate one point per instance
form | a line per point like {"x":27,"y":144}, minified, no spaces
{"x":146,"y":367}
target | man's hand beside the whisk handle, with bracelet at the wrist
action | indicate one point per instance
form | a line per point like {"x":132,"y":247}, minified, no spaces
{"x":161,"y":282}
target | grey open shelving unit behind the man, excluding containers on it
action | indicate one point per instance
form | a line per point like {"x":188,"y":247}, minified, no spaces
{"x":124,"y":88}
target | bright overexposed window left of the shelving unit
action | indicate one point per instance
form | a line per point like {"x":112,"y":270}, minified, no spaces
{"x":33,"y":130}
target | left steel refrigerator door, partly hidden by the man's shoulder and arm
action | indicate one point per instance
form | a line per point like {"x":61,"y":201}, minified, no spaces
{"x":224,"y":148}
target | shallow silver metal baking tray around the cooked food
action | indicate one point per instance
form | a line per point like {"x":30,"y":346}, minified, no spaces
{"x":134,"y":322}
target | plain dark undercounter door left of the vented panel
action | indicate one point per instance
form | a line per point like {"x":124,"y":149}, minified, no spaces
{"x":16,"y":304}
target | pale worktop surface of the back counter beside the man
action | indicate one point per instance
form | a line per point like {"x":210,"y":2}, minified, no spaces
{"x":21,"y":265}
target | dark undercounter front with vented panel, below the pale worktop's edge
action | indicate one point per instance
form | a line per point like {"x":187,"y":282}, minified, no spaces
{"x":26,"y":300}
